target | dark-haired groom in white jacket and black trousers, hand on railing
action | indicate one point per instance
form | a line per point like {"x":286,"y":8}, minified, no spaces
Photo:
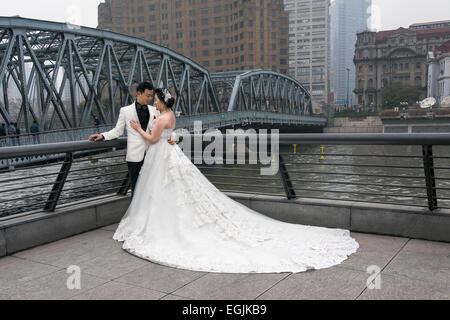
{"x":136,"y":145}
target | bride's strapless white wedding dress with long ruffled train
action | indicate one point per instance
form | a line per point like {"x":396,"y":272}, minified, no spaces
{"x":179,"y":219}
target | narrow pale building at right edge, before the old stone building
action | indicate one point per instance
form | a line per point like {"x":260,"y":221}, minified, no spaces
{"x":439,"y":72}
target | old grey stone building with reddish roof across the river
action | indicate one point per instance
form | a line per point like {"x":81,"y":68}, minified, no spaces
{"x":382,"y":58}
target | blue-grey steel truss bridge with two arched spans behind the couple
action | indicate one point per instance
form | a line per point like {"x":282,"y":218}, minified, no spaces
{"x":62,"y":75}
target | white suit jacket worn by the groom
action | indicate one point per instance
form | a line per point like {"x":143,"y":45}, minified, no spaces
{"x":137,"y":146}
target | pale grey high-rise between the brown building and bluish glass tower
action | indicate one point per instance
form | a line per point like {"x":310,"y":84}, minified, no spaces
{"x":308,"y":47}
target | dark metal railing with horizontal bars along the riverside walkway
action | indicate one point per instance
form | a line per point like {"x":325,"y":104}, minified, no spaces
{"x":383,"y":172}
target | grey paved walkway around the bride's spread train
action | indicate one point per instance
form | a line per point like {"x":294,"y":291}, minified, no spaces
{"x":410,"y":269}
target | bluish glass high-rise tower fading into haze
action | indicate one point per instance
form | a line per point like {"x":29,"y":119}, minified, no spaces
{"x":347,"y":18}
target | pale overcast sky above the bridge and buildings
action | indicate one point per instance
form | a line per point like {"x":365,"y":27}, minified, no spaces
{"x":392,"y":13}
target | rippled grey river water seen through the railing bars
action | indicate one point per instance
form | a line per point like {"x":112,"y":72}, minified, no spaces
{"x":356,"y":173}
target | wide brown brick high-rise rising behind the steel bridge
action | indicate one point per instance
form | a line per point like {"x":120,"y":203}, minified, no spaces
{"x":221,"y":35}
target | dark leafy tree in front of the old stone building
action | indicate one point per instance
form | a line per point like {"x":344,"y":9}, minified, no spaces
{"x":397,"y":92}
